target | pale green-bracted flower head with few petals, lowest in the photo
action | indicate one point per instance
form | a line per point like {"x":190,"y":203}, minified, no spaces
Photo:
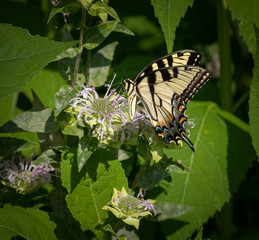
{"x":129,"y":208}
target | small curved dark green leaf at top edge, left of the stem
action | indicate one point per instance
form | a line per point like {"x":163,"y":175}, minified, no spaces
{"x":66,"y":6}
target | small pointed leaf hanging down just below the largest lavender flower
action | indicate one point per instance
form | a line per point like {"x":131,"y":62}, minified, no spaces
{"x":86,"y":147}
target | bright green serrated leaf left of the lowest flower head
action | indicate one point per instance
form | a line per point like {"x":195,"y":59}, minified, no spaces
{"x":91,"y":188}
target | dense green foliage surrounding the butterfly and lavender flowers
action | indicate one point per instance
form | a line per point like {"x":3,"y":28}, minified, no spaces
{"x":39,"y":77}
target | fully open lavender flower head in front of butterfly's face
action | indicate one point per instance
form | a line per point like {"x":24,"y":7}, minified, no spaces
{"x":103,"y":114}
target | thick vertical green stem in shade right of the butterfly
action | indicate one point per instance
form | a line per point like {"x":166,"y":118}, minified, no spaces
{"x":223,"y":22}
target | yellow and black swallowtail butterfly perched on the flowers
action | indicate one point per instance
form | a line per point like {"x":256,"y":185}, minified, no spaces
{"x":164,"y":87}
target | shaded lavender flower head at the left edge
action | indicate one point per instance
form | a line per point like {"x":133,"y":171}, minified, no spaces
{"x":24,"y":176}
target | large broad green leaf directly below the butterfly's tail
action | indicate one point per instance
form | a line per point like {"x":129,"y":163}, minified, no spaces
{"x":218,"y":165}
